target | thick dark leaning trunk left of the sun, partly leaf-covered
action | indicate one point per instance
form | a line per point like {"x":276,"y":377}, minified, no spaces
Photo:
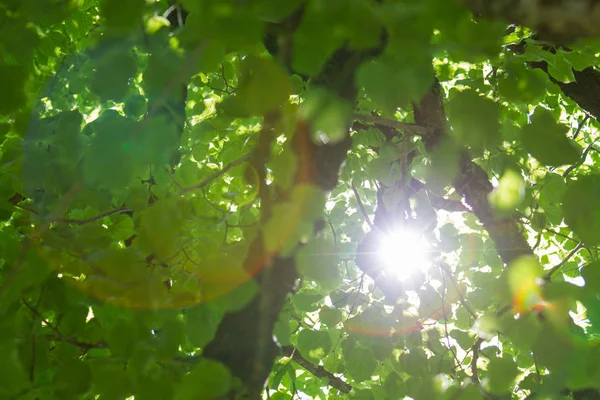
{"x":244,"y":339}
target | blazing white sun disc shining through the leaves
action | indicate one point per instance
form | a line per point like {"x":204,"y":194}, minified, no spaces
{"x":404,"y":253}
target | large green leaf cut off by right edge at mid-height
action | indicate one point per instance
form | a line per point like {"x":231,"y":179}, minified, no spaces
{"x":581,"y":210}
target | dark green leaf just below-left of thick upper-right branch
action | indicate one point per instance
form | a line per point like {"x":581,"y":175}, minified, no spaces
{"x":545,"y":140}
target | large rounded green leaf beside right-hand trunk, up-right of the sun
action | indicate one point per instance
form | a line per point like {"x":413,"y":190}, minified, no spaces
{"x":475,"y":120}
